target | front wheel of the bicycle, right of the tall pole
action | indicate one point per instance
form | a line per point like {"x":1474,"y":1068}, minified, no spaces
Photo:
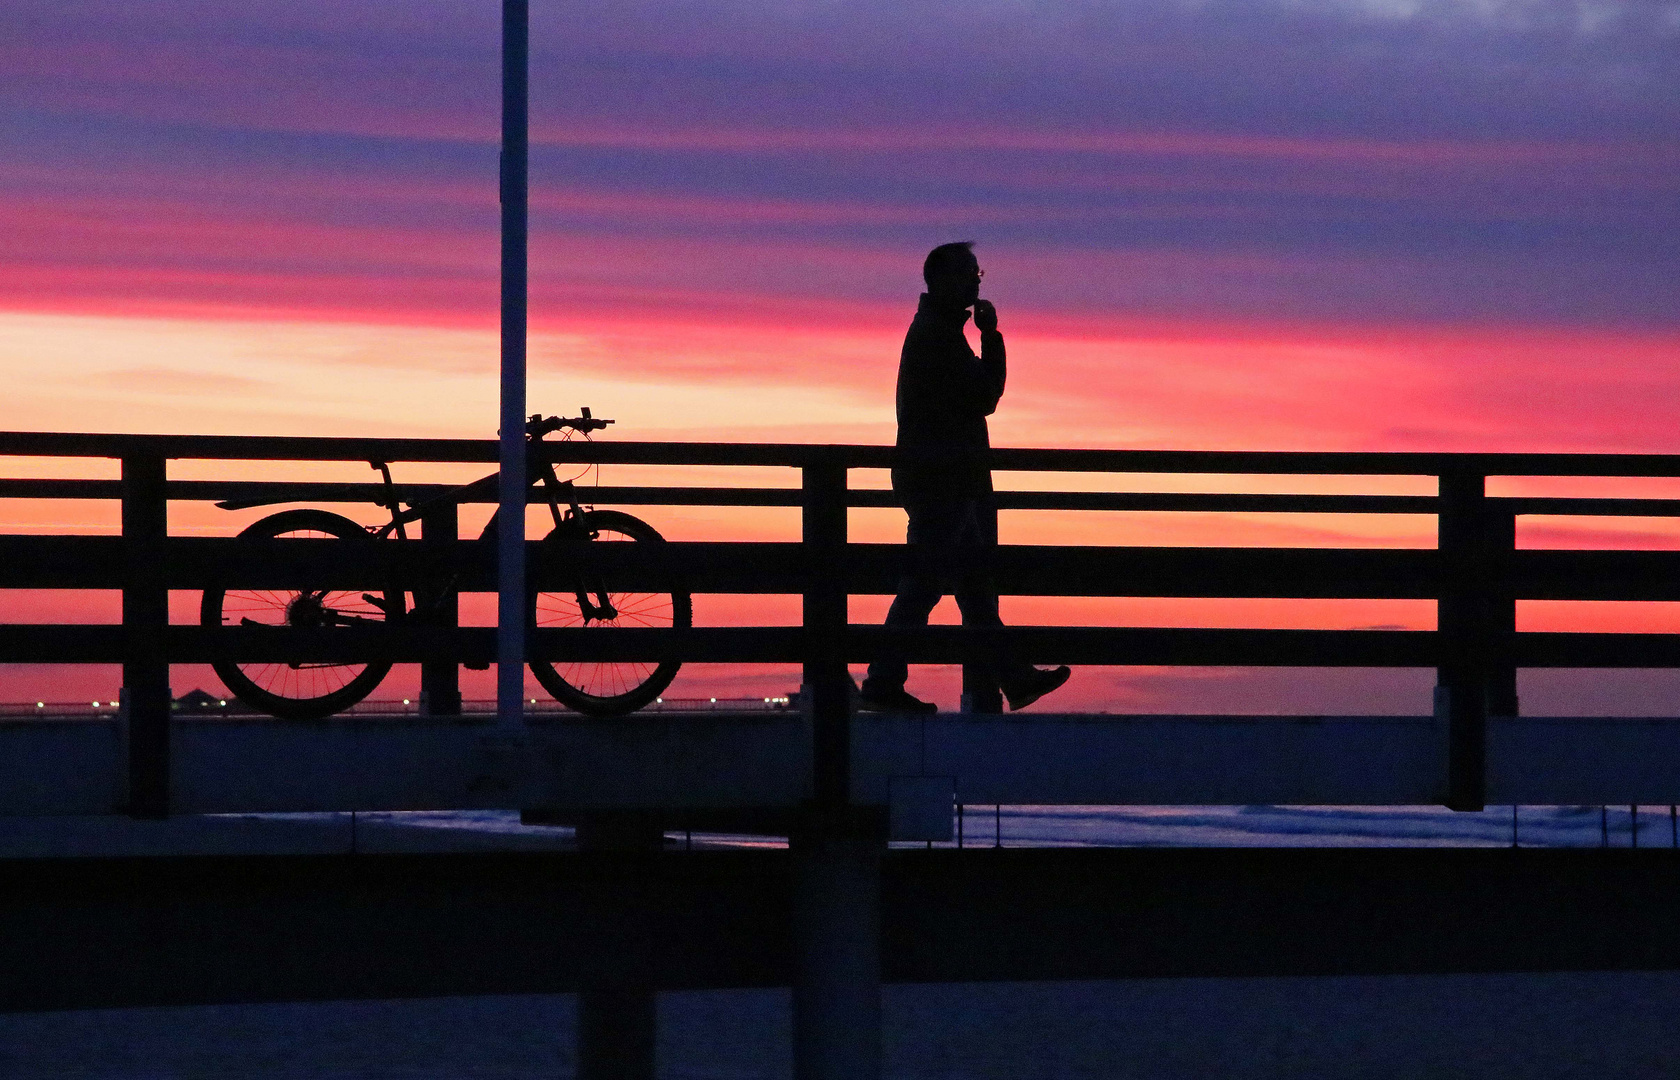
{"x":607,"y":688}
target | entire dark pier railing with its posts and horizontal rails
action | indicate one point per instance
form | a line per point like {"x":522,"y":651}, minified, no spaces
{"x":1476,"y":574}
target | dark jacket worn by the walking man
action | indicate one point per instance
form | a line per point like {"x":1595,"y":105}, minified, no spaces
{"x":945,"y":397}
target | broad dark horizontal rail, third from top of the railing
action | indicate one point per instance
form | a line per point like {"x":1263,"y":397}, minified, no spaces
{"x":750,"y":567}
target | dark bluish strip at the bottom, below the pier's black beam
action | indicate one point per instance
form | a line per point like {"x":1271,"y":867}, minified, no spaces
{"x":1488,"y":1027}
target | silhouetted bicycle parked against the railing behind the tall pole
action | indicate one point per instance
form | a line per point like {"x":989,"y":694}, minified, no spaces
{"x":313,"y":691}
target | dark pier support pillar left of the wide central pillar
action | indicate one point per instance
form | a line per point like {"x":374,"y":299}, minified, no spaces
{"x":619,"y":1022}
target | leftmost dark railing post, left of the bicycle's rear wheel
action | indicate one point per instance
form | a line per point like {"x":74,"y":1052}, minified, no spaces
{"x":145,"y":621}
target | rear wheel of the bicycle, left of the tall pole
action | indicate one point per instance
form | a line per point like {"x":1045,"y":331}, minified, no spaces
{"x":281,"y":689}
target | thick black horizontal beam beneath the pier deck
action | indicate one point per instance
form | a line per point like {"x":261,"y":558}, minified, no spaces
{"x":191,"y":931}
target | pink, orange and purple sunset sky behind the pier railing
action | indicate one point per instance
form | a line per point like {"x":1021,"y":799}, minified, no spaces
{"x":1217,"y":224}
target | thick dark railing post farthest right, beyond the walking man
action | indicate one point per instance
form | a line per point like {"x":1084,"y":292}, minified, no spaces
{"x":1467,"y":681}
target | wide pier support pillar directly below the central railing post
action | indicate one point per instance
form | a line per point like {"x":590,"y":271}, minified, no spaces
{"x":837,"y":946}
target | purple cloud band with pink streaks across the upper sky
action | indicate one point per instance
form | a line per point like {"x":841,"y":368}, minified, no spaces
{"x":1232,"y":160}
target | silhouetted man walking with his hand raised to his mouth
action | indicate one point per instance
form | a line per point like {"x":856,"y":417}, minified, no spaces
{"x":945,"y":480}
